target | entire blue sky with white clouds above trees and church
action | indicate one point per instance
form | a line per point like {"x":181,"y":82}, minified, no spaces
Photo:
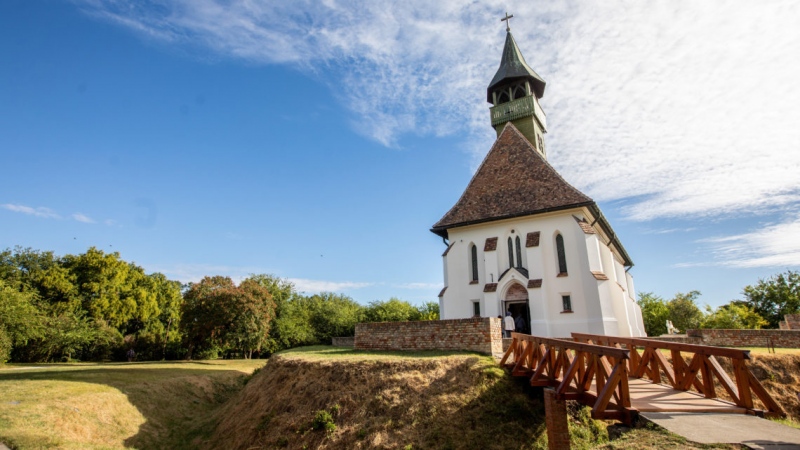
{"x":319,"y":141}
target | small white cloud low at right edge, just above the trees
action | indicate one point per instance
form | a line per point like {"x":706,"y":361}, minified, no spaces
{"x":776,"y":245}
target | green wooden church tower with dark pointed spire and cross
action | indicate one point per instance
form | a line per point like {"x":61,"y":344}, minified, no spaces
{"x":514,"y":93}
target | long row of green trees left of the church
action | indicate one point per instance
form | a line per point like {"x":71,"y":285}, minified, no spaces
{"x":96,"y":306}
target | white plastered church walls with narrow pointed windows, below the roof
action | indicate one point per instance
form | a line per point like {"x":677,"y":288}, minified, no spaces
{"x":593,"y":302}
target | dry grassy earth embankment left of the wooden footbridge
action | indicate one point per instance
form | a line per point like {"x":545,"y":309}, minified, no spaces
{"x":419,"y":403}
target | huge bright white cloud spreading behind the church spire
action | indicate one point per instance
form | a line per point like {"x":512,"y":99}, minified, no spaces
{"x":684,"y":108}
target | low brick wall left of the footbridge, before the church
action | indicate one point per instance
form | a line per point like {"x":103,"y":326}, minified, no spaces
{"x":480,"y":335}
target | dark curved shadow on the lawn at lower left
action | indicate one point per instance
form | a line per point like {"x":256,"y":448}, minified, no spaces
{"x":177,"y":401}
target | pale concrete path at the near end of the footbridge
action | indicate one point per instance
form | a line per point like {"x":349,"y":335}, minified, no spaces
{"x":754,"y":432}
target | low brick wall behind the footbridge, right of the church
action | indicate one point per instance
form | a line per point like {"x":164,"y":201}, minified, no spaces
{"x":739,"y":338}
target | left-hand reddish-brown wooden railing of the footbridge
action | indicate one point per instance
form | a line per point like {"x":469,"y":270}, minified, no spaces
{"x":593,"y":374}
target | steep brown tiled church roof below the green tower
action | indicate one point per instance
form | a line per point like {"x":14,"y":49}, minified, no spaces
{"x":513,"y":180}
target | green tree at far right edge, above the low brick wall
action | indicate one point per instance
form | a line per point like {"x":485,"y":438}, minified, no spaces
{"x":775,"y":297}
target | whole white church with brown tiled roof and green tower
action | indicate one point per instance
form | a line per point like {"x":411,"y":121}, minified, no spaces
{"x":522,"y":240}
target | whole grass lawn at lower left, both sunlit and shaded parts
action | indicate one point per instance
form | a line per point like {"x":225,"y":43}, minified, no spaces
{"x":114,"y":405}
